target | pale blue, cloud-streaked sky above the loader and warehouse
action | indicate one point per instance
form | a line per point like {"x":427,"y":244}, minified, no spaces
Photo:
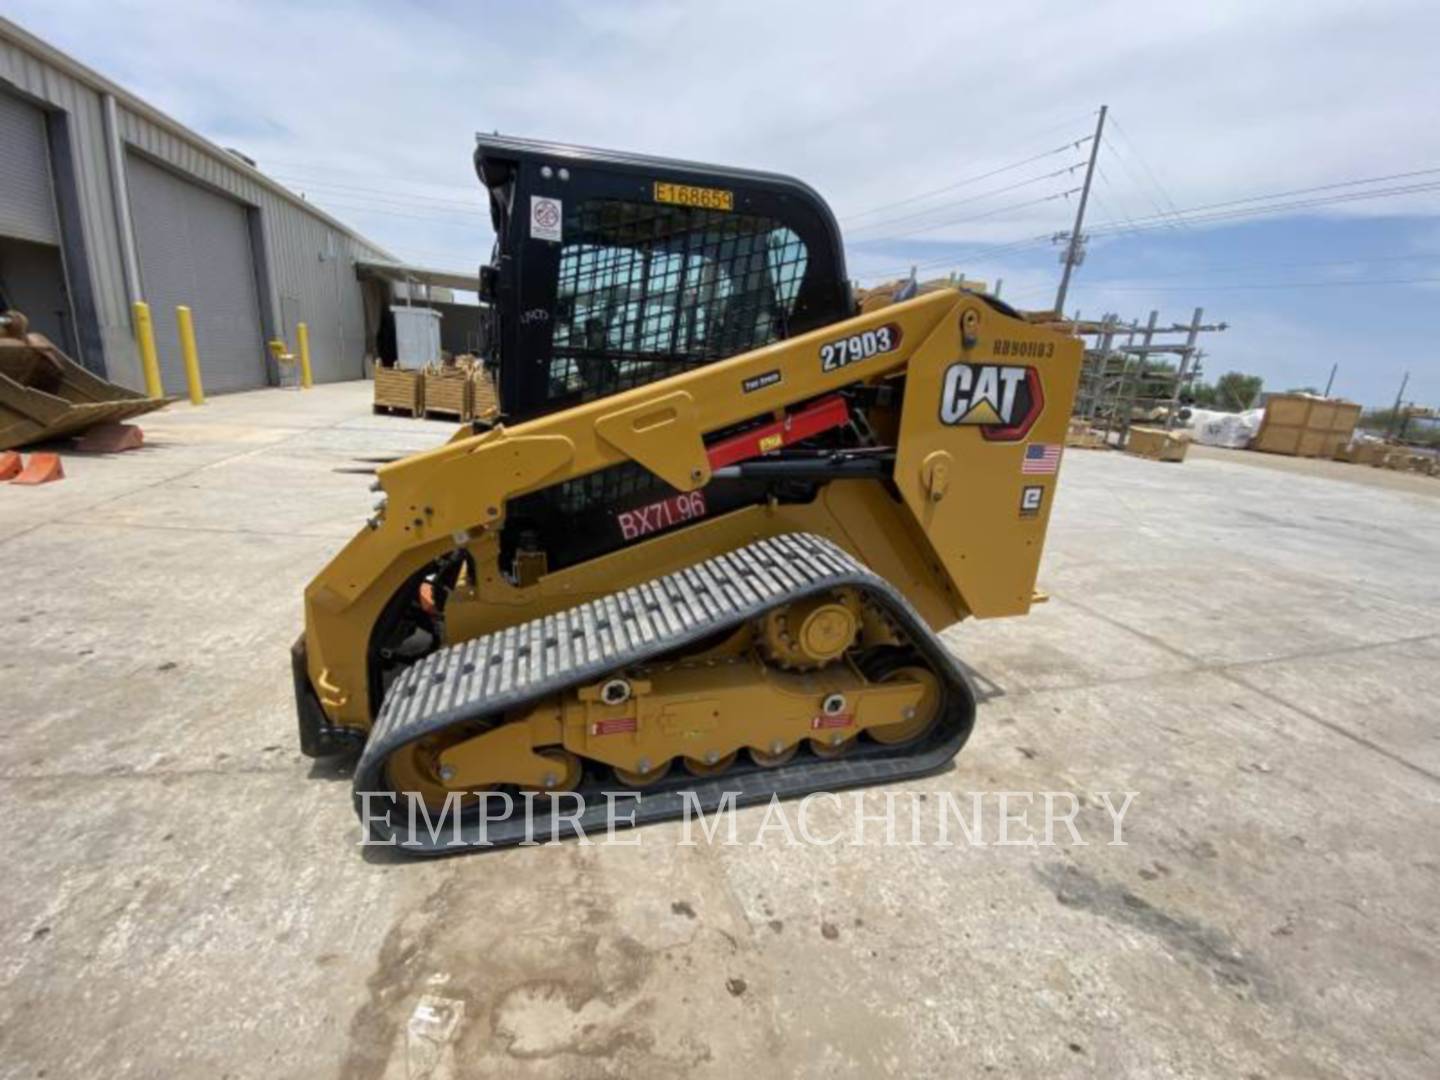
{"x":371,"y":110}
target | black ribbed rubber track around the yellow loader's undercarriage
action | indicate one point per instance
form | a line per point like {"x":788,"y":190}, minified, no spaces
{"x":643,"y":624}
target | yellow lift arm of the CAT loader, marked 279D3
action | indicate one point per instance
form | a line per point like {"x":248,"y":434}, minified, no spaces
{"x":942,"y":342}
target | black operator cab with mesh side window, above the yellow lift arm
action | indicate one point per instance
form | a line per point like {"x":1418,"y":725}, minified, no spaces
{"x":613,"y":270}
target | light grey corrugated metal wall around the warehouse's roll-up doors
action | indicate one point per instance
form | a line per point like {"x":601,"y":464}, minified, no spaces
{"x":305,"y":260}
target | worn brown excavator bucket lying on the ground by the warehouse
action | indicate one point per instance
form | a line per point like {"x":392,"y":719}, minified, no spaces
{"x":45,"y":395}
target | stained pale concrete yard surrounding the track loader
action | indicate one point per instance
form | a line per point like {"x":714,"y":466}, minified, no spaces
{"x":1252,"y":652}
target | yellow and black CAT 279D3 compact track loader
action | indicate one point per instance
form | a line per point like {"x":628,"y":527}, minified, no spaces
{"x":709,"y":542}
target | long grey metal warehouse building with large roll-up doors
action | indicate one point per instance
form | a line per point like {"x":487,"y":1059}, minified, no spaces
{"x":106,"y":201}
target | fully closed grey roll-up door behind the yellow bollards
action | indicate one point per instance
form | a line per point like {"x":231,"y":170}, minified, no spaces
{"x":195,"y":250}
